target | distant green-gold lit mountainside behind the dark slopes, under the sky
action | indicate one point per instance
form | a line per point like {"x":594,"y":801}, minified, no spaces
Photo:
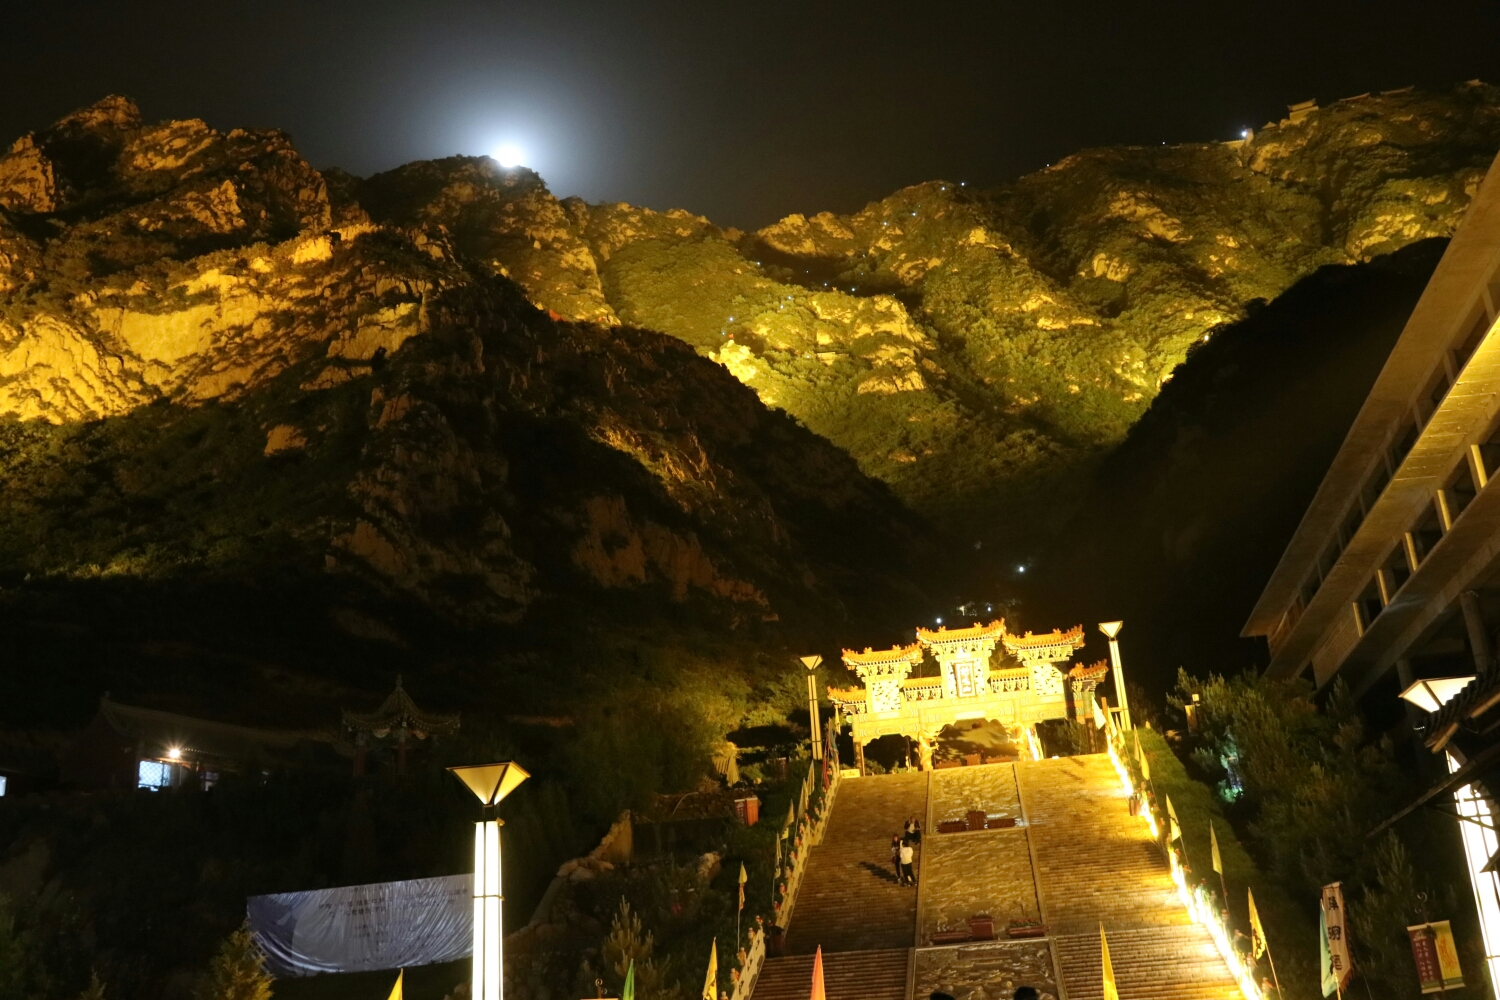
{"x":976,"y":349}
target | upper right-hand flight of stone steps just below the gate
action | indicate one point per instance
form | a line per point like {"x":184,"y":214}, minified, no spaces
{"x":1094,"y":861}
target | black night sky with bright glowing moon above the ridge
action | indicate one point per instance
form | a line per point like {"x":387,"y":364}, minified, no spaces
{"x":742,"y":112}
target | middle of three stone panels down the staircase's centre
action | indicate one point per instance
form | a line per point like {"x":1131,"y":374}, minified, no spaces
{"x":985,"y":872}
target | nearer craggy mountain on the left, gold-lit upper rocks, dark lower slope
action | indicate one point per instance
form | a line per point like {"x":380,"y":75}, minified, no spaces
{"x":215,"y":367}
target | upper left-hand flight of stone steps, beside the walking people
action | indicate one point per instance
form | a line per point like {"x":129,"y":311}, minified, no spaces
{"x":850,"y":900}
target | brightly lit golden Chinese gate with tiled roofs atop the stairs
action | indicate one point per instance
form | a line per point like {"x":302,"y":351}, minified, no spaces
{"x":1028,"y":684}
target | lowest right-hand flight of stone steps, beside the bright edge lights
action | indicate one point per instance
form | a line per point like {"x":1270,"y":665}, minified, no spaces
{"x":1157,"y":963}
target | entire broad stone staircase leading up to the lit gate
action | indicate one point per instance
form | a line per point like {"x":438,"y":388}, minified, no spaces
{"x":1075,"y":860}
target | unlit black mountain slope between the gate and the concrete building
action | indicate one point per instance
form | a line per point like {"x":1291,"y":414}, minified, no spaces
{"x":1186,"y":521}
